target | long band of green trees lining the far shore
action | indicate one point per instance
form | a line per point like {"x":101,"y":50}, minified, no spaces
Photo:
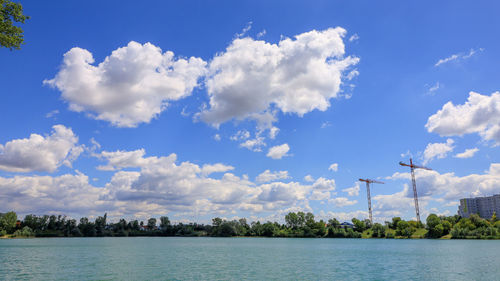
{"x":298,"y":224}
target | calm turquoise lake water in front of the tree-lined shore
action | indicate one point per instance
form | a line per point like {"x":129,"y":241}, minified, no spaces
{"x":247,"y":259}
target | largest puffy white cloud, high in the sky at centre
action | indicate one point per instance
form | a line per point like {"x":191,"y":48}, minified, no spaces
{"x":295,"y":76}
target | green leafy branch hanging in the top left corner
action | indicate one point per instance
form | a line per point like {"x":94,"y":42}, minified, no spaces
{"x":11,"y":36}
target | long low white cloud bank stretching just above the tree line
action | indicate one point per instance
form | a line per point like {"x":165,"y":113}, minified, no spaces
{"x":160,"y":185}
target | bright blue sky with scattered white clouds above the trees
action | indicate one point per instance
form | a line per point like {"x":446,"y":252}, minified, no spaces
{"x":203,"y":109}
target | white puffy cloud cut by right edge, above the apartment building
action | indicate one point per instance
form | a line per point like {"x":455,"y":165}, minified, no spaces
{"x":480,"y":114}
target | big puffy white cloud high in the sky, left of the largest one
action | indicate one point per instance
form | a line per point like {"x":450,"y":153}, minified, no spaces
{"x":131,"y":86}
